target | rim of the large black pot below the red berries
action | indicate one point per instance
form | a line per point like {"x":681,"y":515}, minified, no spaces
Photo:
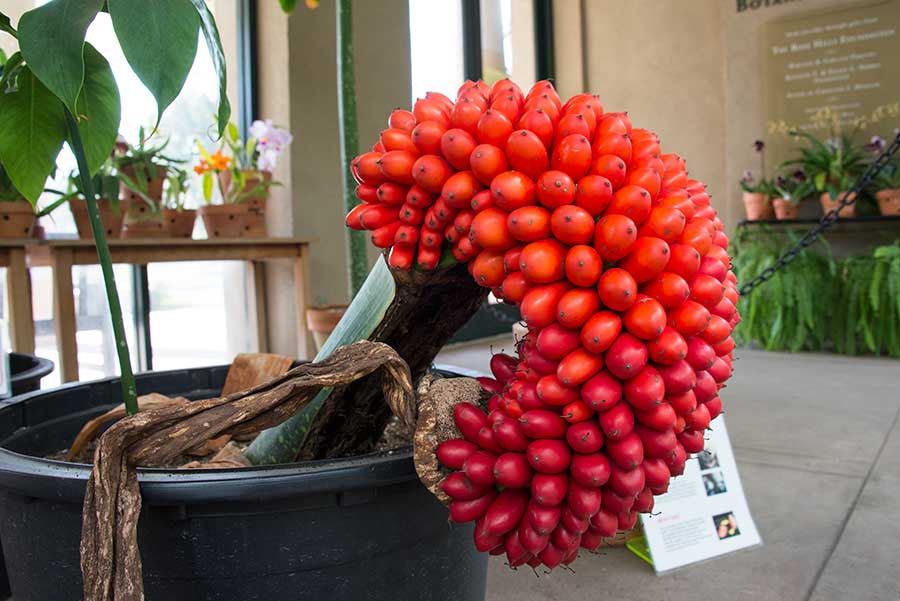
{"x":63,"y":481}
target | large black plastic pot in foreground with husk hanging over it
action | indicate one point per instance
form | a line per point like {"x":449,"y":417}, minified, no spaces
{"x":361,"y":528}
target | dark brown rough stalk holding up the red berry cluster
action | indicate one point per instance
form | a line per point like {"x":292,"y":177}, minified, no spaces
{"x":429,"y":307}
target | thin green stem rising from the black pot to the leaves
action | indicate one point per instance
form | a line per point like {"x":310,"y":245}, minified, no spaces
{"x":129,"y":389}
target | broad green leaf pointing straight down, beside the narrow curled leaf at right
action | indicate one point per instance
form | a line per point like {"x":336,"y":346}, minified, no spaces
{"x":159,"y":39}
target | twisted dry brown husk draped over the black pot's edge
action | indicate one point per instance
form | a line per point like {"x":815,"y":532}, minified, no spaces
{"x":110,"y":559}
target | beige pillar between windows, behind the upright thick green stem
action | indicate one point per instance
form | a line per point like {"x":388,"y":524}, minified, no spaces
{"x":298,"y":89}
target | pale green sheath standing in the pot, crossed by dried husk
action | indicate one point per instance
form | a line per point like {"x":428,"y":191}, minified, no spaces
{"x":282,"y":443}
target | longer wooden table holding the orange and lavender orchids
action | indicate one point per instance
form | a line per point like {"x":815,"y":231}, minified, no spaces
{"x":62,"y":255}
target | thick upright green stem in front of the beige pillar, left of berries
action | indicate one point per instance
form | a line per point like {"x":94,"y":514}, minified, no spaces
{"x":357,"y":270}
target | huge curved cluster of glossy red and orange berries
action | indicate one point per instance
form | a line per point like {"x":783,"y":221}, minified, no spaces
{"x":620,"y":268}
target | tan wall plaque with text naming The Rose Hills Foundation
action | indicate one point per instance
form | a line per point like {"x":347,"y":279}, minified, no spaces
{"x":840,"y":66}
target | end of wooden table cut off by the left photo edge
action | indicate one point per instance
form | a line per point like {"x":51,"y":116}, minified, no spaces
{"x":18,"y":292}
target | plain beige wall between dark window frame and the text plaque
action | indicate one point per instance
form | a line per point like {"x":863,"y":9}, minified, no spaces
{"x":689,"y":70}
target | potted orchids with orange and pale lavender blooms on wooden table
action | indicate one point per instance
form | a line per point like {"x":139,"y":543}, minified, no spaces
{"x":243,"y":178}
